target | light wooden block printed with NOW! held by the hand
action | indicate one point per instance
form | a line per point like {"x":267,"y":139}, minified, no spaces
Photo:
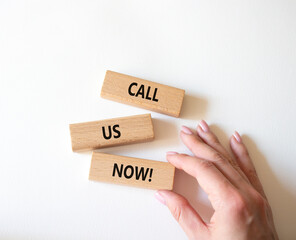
{"x":131,"y":171}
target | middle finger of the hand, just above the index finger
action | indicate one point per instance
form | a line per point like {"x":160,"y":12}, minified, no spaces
{"x":204,"y":151}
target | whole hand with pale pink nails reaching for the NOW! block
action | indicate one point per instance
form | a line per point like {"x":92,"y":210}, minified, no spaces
{"x":241,"y":209}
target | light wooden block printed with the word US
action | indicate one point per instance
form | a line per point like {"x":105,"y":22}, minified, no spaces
{"x":111,"y":132}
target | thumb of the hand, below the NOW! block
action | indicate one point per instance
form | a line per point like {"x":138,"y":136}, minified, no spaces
{"x":186,"y":216}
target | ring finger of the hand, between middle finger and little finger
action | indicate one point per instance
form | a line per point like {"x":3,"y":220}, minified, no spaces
{"x":211,"y":139}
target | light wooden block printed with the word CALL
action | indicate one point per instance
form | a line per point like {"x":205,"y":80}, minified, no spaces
{"x":142,"y":93}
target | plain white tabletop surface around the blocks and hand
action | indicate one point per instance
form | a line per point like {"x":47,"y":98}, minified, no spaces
{"x":235,"y":59}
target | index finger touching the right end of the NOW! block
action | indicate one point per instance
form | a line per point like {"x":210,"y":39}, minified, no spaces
{"x":212,"y":181}
